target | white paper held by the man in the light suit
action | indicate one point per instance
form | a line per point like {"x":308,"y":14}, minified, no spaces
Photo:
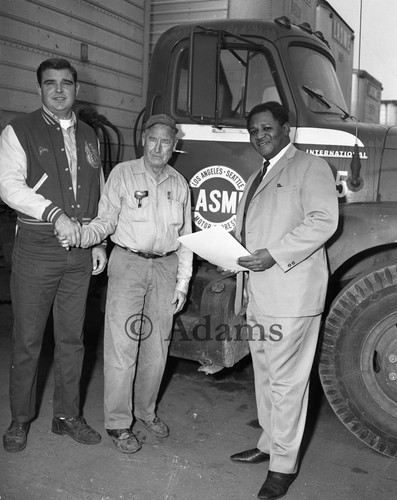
{"x":217,"y":246}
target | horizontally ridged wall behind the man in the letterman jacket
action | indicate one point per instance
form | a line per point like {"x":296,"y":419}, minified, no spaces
{"x":104,"y":40}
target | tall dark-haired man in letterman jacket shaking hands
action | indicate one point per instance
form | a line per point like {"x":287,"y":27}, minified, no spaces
{"x":50,"y":174}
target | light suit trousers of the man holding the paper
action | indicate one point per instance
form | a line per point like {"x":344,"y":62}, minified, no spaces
{"x":282,"y":351}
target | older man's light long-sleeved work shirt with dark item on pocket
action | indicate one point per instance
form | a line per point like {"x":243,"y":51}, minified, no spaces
{"x":145,"y":214}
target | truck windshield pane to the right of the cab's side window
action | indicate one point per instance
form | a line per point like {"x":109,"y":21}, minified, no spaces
{"x":316,"y":80}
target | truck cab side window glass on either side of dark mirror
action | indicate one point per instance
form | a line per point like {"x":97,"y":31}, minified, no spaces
{"x":245,"y":79}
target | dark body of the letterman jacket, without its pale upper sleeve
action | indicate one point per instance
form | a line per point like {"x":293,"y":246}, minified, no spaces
{"x":48,"y":174}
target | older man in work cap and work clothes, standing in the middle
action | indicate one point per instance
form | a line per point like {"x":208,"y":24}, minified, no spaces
{"x":145,"y":206}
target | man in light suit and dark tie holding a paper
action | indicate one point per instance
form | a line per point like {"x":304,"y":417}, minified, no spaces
{"x":284,"y":219}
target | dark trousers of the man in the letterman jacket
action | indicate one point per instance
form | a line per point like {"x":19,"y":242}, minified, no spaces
{"x":45,"y":275}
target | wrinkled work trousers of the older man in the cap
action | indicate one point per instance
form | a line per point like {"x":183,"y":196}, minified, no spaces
{"x":138,"y":324}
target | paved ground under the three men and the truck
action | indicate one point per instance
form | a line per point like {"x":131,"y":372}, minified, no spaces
{"x":210,"y":418}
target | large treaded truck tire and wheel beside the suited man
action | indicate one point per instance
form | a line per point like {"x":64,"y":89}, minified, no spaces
{"x":358,"y":360}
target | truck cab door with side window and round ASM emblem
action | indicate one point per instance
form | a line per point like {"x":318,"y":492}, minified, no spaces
{"x":211,"y":100}
